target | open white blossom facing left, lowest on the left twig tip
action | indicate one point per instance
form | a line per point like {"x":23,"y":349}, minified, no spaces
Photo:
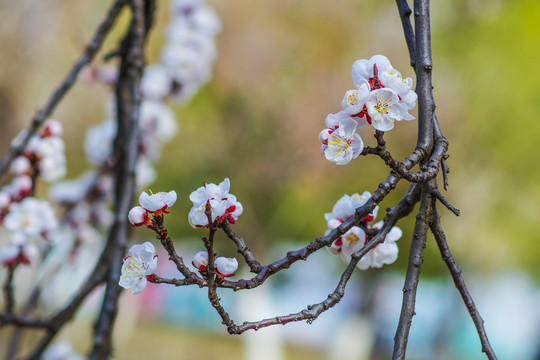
{"x":140,"y":263}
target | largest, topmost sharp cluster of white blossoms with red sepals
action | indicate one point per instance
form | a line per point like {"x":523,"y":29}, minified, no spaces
{"x":381,"y":97}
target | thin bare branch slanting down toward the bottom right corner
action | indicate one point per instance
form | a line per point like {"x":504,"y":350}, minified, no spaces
{"x":455,"y":271}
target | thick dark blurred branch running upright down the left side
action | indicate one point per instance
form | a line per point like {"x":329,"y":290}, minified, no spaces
{"x":128,"y":98}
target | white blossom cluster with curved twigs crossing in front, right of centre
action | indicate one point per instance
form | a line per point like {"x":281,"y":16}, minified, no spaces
{"x":354,"y":239}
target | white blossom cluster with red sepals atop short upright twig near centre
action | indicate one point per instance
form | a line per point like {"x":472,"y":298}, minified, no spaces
{"x":217,"y":200}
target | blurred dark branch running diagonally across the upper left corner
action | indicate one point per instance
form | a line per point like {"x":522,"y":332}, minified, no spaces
{"x":88,"y":55}
